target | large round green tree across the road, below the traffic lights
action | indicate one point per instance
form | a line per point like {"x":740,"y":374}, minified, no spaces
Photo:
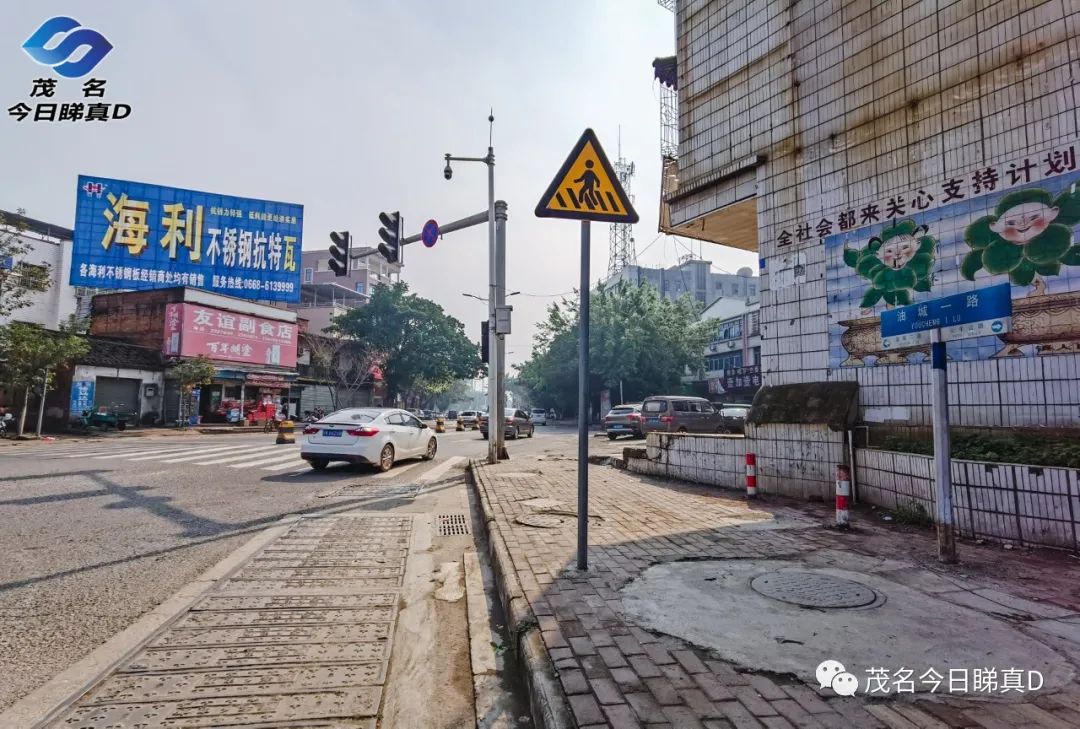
{"x":418,"y":346}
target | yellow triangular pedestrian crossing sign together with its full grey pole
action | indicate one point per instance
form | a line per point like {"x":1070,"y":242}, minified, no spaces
{"x":586,"y":188}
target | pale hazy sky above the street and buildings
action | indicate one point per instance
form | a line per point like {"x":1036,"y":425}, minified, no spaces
{"x":349,"y":110}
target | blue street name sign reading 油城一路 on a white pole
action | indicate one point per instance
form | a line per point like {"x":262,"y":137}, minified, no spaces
{"x":979,"y":314}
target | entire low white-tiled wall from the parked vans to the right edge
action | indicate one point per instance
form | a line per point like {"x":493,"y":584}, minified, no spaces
{"x":1003,"y":503}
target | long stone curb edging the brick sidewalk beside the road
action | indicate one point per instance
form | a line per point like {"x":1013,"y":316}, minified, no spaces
{"x":547,"y":700}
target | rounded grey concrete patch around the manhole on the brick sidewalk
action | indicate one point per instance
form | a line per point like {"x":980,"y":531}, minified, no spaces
{"x":712,"y":604}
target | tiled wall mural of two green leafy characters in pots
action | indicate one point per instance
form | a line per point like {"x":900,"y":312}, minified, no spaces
{"x":1027,"y":236}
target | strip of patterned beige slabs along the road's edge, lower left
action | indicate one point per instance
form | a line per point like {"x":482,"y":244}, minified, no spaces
{"x":299,"y":637}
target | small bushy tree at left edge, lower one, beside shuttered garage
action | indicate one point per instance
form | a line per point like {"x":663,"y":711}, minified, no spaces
{"x":30,"y":357}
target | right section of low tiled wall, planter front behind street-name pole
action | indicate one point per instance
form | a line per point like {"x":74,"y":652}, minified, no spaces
{"x":1004,"y":503}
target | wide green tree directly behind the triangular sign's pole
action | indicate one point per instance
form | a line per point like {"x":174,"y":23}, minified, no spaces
{"x":638,"y":341}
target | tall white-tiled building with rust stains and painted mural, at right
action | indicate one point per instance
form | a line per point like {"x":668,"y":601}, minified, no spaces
{"x":875,"y":155}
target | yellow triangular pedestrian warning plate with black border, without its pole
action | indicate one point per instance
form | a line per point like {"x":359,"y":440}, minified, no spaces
{"x":587,"y":188}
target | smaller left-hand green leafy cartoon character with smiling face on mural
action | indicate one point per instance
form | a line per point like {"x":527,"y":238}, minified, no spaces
{"x":896,"y":264}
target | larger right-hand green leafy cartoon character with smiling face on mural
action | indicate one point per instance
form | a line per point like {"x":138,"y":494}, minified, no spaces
{"x":1029,"y":237}
